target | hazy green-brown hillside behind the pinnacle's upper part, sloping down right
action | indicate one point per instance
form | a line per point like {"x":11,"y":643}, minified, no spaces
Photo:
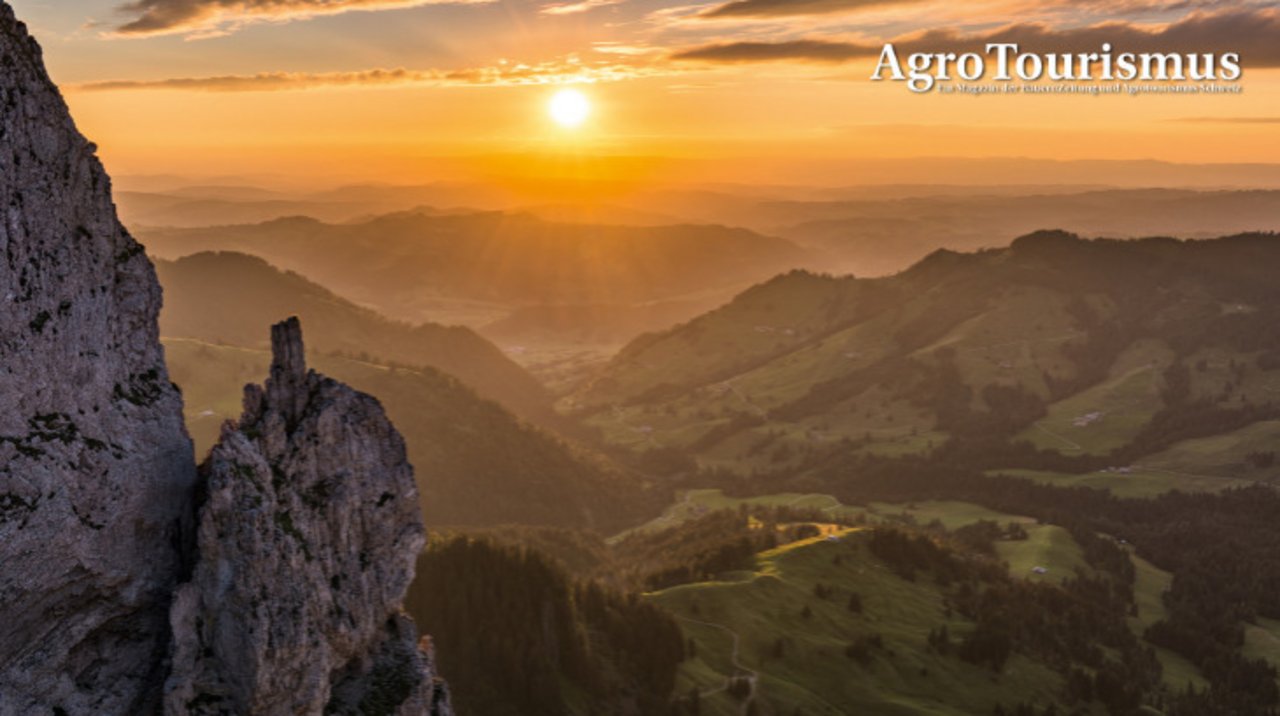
{"x":477,"y":463}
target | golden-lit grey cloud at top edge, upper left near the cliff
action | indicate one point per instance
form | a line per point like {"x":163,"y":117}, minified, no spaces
{"x":209,"y":19}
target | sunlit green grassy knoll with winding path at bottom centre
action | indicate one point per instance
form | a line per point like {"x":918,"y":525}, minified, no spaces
{"x":815,"y":674}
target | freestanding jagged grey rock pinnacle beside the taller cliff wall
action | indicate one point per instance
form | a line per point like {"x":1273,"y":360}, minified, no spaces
{"x":308,"y":539}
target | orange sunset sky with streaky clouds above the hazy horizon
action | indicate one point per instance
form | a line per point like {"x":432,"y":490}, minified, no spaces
{"x":408,"y":89}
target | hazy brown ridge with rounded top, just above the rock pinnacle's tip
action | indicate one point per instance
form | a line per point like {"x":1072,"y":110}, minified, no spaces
{"x":232,"y":299}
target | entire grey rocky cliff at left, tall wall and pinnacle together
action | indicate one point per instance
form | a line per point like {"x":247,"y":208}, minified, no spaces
{"x":272,"y":582}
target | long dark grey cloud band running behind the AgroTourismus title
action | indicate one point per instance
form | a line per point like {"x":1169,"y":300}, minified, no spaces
{"x":1251,"y":33}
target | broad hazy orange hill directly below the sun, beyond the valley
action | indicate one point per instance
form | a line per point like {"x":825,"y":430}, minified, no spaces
{"x":406,"y":264}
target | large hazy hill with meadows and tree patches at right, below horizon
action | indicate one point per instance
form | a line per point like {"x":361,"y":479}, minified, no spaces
{"x":1071,"y":345}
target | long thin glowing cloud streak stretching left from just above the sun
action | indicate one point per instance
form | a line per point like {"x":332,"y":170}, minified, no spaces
{"x":561,"y":72}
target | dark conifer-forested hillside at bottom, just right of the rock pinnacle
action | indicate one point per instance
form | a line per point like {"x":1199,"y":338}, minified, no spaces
{"x":552,"y":645}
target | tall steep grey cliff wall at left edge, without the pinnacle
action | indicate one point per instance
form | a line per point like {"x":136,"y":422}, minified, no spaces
{"x":97,"y":469}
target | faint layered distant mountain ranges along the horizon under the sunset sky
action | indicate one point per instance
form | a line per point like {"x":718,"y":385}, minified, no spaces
{"x":867,"y":231}
